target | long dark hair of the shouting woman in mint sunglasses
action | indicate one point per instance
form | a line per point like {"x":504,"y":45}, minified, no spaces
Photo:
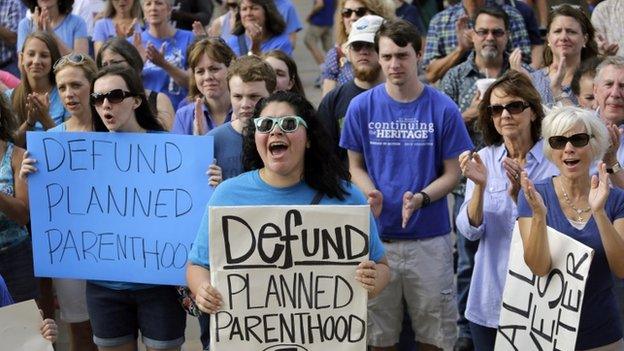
{"x":322,"y":170}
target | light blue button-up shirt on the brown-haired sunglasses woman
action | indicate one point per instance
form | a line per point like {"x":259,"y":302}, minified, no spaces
{"x":499,"y":217}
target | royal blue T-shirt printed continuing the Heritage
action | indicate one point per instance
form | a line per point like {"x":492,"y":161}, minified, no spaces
{"x":404,"y":146}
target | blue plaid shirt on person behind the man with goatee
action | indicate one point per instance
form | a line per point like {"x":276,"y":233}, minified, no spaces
{"x":442,"y":37}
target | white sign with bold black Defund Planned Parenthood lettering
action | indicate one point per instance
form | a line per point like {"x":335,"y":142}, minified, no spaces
{"x":287,"y":277}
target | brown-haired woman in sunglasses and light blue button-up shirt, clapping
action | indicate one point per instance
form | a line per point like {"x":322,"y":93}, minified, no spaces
{"x":509,"y":116}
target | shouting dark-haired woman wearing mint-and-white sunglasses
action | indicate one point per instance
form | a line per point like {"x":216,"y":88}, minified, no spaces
{"x":286,"y":149}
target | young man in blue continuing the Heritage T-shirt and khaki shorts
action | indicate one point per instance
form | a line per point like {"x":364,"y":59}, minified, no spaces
{"x":403,"y":140}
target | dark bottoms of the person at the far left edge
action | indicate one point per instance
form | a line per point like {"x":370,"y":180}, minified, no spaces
{"x":16,"y":266}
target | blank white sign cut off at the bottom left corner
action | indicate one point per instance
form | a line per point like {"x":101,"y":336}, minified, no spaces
{"x":19,"y":328}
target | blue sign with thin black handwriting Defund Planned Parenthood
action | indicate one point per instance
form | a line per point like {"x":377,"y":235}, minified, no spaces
{"x":116,"y":206}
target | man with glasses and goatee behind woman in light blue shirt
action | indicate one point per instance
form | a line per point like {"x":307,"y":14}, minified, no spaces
{"x":488,"y":59}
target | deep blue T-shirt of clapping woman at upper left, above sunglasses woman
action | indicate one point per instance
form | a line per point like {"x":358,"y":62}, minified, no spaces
{"x":157,"y":79}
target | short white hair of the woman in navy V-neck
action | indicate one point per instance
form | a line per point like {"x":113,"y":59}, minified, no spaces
{"x":561,"y":120}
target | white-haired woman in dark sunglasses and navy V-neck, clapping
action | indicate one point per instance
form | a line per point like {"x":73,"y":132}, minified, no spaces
{"x":583,"y":207}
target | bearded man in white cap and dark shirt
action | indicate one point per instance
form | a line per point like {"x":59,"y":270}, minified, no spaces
{"x":366,"y":70}
